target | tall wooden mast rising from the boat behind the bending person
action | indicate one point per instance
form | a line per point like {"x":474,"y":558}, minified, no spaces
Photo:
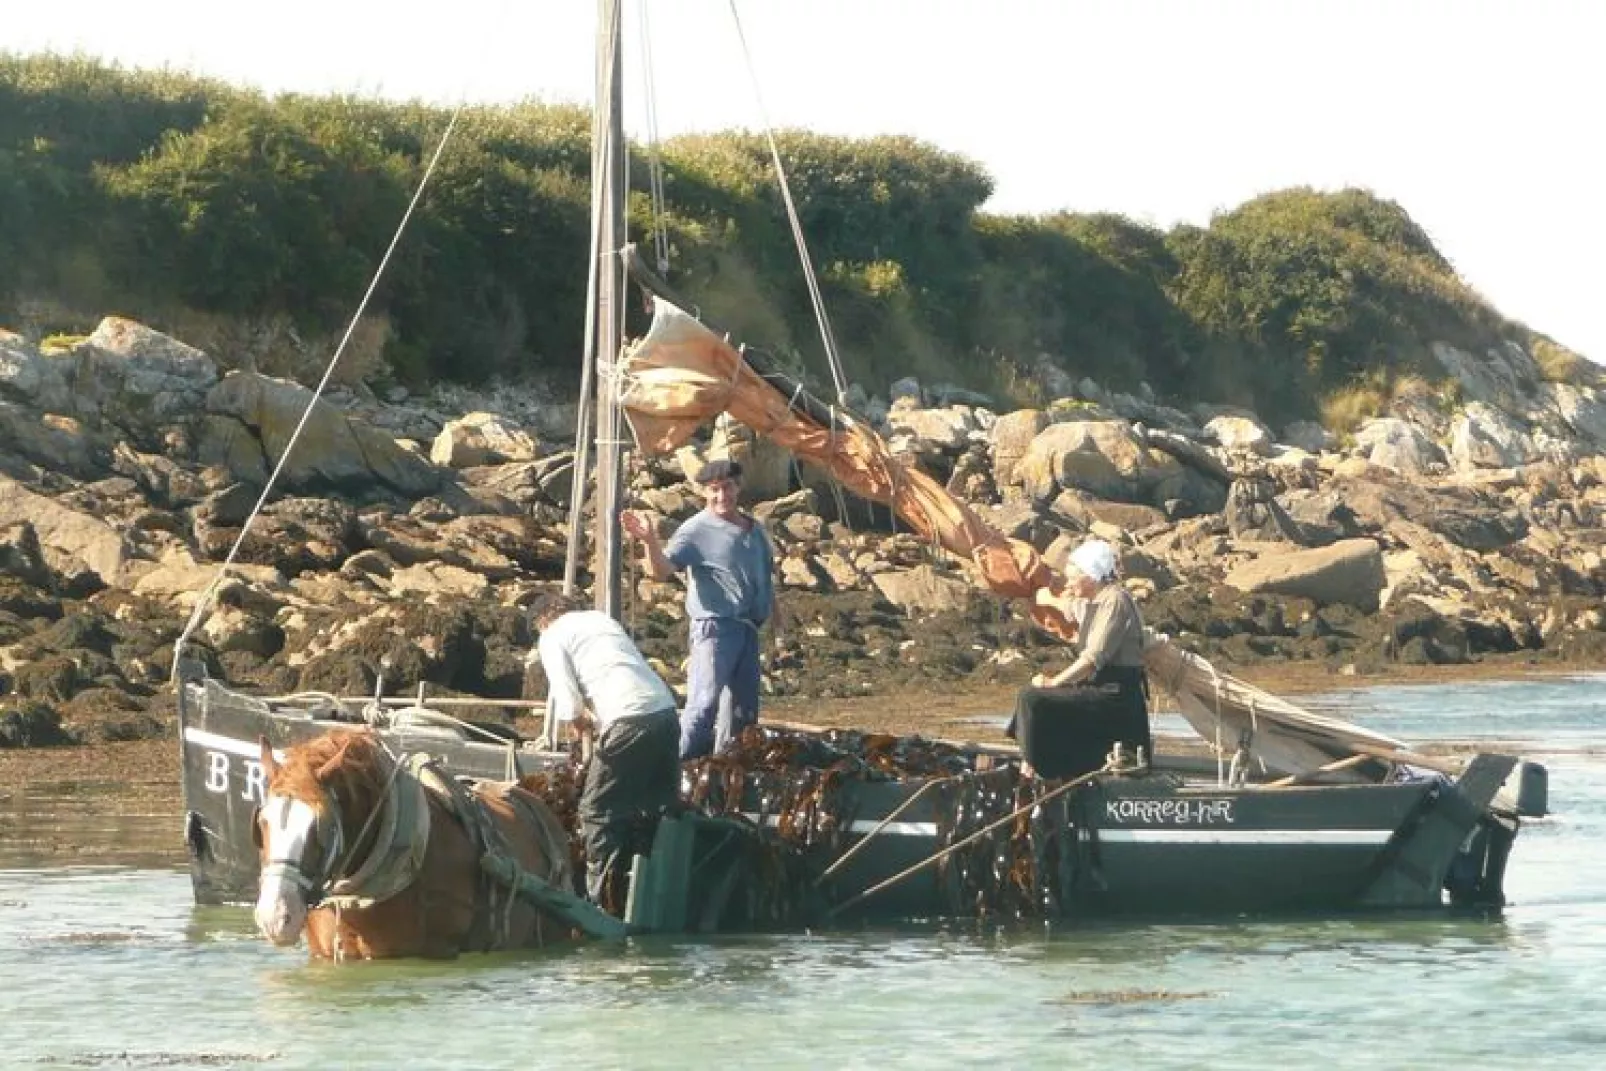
{"x":605,"y":317}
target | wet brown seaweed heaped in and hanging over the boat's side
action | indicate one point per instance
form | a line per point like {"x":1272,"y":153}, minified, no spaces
{"x":797,"y":789}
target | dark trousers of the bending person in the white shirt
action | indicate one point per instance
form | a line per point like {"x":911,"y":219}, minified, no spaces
{"x":634,"y":776}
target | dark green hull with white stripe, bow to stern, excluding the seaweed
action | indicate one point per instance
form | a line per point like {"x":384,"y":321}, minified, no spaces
{"x":1122,"y":845}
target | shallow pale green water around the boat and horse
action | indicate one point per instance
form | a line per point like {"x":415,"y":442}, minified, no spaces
{"x":115,"y":967}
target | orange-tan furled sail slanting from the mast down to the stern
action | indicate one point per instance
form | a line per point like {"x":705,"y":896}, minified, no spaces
{"x":682,"y":375}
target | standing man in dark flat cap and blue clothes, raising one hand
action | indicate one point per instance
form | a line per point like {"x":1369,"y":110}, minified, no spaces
{"x":730,"y":593}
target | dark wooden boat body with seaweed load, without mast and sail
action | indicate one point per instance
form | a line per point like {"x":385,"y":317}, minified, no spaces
{"x":1167,"y":839}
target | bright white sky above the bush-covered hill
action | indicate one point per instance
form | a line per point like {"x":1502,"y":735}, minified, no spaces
{"x":1482,"y":118}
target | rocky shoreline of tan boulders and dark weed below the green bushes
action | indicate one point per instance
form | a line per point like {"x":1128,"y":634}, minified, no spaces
{"x":407,"y":535}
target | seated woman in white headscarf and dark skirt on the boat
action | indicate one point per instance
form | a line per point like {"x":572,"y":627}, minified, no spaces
{"x":1067,"y":722}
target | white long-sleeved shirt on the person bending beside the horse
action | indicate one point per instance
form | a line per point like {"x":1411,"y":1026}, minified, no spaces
{"x":589,"y":658}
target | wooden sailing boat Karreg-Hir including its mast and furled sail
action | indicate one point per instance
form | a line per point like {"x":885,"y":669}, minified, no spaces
{"x":1311,"y":815}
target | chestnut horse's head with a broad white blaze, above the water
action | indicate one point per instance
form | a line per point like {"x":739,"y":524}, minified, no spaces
{"x":314,"y":804}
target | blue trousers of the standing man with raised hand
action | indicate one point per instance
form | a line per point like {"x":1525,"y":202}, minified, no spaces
{"x":722,"y":685}
